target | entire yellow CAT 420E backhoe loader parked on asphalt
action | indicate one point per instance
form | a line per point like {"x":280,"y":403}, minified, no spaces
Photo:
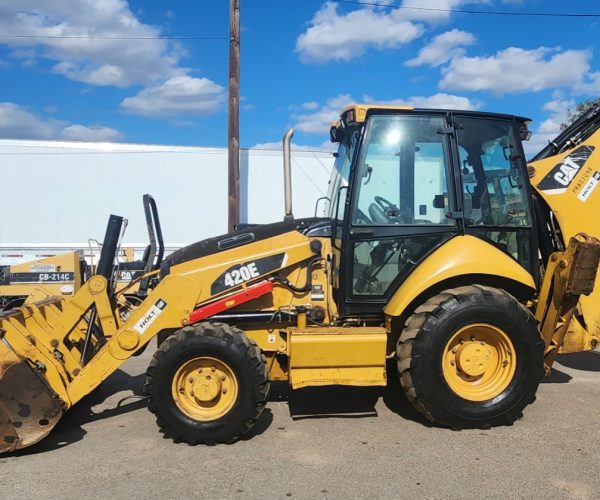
{"x":442,"y":249}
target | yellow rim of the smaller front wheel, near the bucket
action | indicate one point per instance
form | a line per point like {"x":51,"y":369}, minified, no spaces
{"x":205,"y":388}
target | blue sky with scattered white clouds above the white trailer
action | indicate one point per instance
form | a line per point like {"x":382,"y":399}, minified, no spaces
{"x":302,"y":61}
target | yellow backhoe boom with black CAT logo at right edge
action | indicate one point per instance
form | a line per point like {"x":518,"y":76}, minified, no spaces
{"x":565,"y":175}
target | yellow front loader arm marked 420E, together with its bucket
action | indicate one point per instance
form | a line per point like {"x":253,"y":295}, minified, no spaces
{"x":45,"y":340}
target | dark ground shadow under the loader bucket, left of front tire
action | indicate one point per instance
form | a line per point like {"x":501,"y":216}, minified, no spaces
{"x":70,"y":427}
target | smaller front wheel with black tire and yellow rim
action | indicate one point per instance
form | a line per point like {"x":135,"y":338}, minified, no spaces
{"x":207,"y":384}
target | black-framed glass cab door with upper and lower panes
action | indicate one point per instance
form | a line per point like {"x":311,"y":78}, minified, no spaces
{"x":400,"y":207}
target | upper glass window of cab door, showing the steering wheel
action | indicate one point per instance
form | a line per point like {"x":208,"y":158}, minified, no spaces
{"x":402,"y":172}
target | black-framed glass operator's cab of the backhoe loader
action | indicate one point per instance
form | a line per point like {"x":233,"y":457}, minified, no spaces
{"x":406,"y":181}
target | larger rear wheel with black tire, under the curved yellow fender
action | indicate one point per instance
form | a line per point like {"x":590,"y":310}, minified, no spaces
{"x":471,"y":357}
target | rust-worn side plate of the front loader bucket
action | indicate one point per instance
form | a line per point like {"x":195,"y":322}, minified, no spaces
{"x":28,"y":408}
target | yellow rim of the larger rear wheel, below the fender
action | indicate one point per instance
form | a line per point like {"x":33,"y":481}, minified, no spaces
{"x":479,"y":362}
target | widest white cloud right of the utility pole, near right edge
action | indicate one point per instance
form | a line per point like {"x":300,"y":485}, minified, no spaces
{"x":517,"y":70}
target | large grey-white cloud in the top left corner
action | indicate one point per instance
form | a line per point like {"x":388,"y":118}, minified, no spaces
{"x":95,"y":61}
